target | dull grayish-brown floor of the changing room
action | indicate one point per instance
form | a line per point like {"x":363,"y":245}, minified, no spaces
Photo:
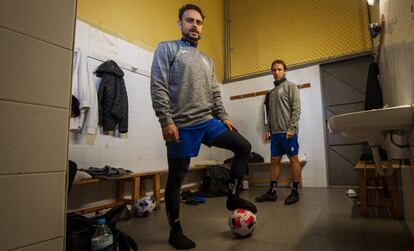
{"x":324,"y":219}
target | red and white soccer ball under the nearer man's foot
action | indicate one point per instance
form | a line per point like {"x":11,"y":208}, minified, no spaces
{"x":242,"y":222}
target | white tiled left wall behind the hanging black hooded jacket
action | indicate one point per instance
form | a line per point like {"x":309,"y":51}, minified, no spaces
{"x":144,"y":148}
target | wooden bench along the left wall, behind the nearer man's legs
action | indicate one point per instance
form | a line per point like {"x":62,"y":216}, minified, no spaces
{"x":136,"y":183}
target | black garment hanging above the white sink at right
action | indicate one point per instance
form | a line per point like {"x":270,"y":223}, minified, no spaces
{"x":373,"y":94}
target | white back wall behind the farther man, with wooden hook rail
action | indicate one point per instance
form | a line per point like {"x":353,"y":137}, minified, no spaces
{"x":247,"y":114}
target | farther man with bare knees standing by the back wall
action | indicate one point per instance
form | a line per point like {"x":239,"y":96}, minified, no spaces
{"x":282,"y":114}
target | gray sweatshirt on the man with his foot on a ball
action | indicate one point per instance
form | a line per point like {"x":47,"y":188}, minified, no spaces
{"x":184,"y":88}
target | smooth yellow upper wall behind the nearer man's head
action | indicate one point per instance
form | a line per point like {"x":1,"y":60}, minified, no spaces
{"x":147,"y":22}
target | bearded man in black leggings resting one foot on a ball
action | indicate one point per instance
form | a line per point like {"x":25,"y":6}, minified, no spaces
{"x":187,"y":102}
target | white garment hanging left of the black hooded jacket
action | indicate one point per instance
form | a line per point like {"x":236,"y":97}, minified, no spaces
{"x":83,"y":88}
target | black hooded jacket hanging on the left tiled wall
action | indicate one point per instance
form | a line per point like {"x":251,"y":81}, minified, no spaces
{"x":112,"y":98}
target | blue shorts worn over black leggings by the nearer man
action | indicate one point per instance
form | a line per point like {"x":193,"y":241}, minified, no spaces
{"x":191,"y":137}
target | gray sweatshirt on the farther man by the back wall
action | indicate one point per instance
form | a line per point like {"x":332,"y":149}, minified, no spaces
{"x":284,"y":108}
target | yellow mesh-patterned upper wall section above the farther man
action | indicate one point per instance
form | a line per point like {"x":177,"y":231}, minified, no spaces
{"x":299,"y":32}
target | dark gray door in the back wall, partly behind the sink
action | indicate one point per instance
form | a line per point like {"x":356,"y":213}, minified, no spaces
{"x":343,"y":91}
